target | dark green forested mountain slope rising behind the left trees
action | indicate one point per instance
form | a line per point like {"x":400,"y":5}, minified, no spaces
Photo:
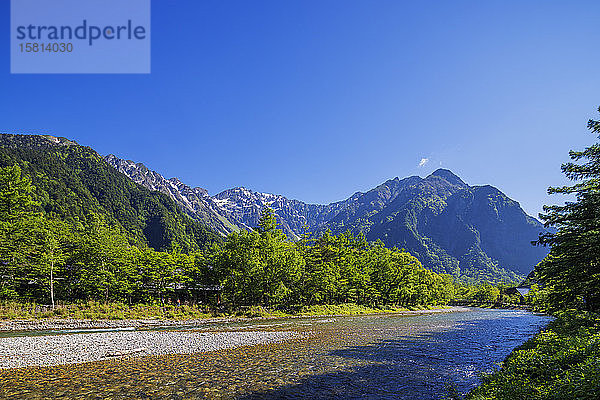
{"x":72,"y":181}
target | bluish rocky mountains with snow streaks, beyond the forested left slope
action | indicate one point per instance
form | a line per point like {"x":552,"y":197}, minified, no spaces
{"x":475,"y":232}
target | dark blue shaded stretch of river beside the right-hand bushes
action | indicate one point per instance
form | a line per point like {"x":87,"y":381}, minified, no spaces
{"x":415,"y":368}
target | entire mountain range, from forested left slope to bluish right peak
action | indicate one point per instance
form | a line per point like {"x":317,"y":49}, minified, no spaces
{"x":471,"y":232}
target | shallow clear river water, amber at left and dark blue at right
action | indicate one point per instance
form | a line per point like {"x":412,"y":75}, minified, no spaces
{"x":357,"y":357}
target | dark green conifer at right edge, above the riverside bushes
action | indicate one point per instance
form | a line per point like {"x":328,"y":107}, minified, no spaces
{"x":571,"y":272}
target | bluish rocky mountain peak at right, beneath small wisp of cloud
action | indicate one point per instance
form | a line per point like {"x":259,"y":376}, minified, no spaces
{"x":472,"y":231}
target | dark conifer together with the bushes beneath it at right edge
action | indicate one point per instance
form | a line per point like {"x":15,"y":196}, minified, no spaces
{"x":562,"y":362}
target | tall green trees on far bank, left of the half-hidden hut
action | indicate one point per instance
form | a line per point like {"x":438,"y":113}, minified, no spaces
{"x":42,"y":256}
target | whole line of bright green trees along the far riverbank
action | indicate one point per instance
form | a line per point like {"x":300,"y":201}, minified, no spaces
{"x":46,"y":259}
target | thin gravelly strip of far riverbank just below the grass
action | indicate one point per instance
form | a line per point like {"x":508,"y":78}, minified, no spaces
{"x":322,"y":311}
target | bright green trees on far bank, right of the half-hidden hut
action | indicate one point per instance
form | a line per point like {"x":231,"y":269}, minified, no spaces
{"x":263,"y":268}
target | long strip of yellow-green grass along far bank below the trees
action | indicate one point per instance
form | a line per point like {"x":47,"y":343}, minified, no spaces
{"x":118,"y":311}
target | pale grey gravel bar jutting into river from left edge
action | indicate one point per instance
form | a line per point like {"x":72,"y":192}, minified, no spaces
{"x":26,"y":351}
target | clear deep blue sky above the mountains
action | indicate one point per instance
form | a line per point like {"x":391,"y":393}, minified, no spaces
{"x":318,"y":99}
